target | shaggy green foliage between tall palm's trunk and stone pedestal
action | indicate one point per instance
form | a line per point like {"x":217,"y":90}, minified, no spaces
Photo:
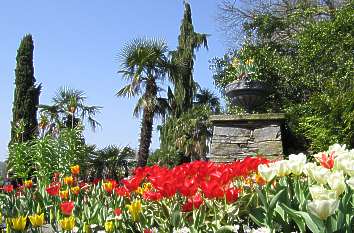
{"x":184,"y":138}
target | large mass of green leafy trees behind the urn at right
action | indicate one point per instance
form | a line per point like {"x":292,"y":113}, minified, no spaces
{"x":305,"y":56}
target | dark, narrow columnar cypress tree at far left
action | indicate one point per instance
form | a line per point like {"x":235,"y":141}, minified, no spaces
{"x":26,"y":95}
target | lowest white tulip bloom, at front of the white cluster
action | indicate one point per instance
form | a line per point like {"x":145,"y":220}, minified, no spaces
{"x":323,"y":208}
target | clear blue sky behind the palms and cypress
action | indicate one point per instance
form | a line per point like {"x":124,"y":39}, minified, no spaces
{"x":77,"y":43}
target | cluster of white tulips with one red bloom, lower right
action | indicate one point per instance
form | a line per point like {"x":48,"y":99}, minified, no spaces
{"x":305,"y":195}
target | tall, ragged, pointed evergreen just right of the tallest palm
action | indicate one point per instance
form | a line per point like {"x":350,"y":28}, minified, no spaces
{"x":188,"y":42}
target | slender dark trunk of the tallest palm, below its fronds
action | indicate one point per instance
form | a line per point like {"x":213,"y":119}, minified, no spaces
{"x":145,"y":137}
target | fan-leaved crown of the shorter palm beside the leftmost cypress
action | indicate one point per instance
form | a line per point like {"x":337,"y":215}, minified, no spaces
{"x":68,"y":110}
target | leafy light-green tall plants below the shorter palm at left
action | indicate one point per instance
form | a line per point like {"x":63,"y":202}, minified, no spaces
{"x":44,"y":156}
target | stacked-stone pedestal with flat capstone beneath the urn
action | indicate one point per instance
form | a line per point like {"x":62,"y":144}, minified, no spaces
{"x":238,"y":136}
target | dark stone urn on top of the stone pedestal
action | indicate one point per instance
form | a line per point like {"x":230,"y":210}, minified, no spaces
{"x":246,"y":93}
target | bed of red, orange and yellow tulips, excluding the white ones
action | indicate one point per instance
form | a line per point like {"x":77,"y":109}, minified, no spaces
{"x":199,"y":196}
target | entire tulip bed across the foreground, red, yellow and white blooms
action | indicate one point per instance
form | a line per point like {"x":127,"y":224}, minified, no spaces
{"x":302,"y":194}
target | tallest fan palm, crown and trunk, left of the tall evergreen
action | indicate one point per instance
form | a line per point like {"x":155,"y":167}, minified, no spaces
{"x":144,"y":64}
